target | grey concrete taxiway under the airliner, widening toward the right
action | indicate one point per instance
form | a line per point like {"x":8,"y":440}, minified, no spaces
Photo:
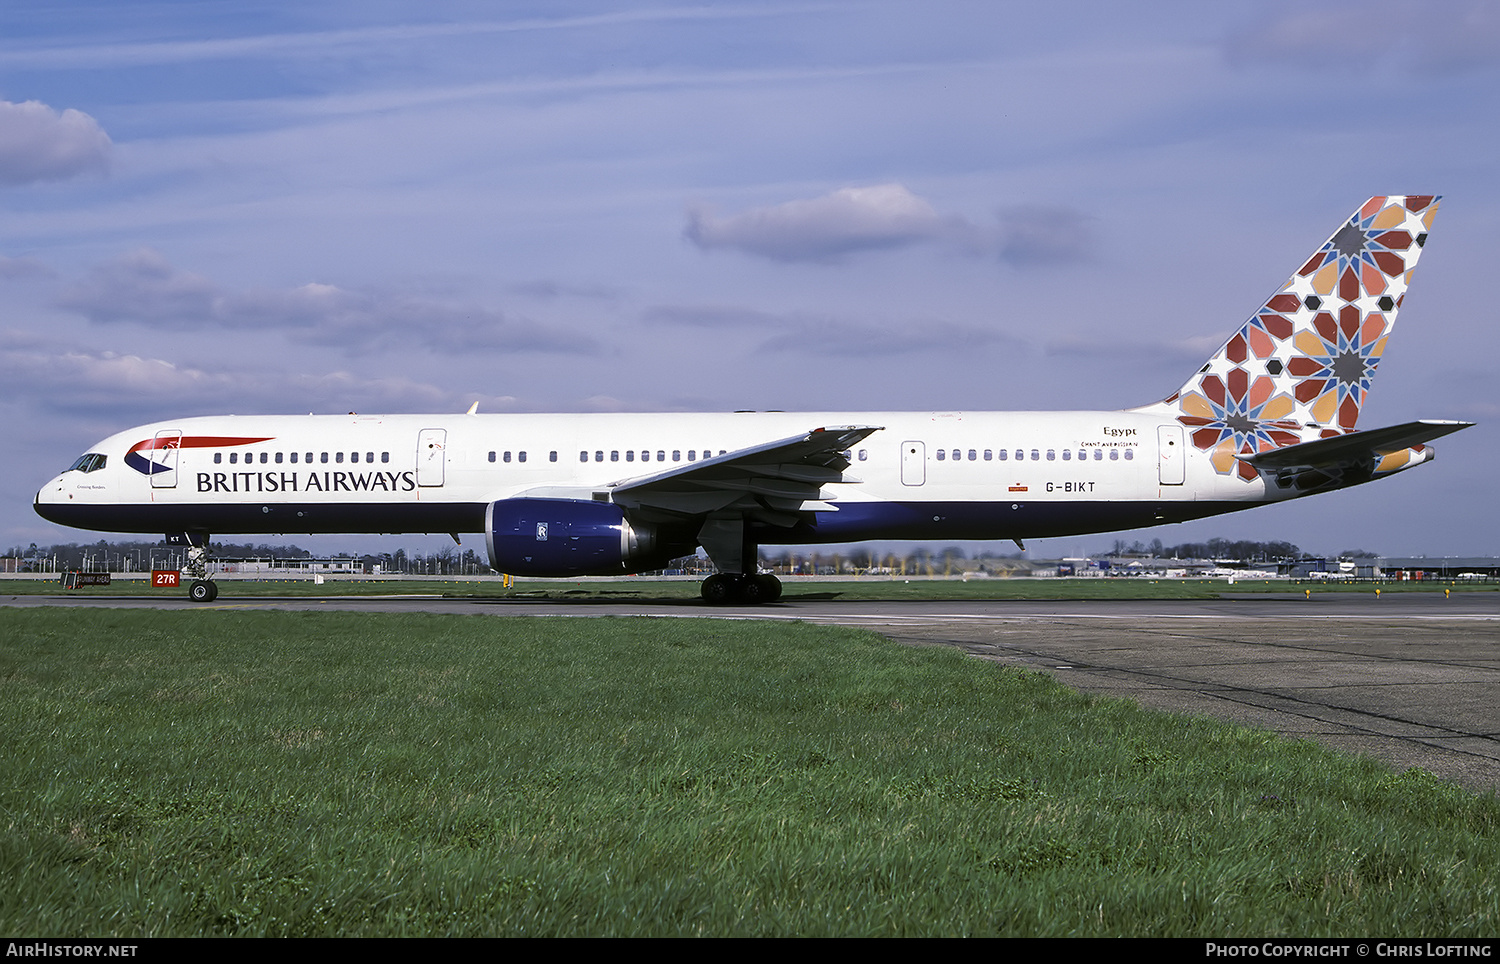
{"x":1412,"y":680}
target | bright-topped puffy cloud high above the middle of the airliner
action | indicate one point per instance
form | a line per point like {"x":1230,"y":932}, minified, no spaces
{"x":830,"y":227}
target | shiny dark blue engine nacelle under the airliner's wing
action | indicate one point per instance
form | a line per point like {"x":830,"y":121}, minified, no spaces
{"x":566,"y":537}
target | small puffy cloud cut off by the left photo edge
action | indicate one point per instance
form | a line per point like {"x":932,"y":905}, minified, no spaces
{"x":40,"y":145}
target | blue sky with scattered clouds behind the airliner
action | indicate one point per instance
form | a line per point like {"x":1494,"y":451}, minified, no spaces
{"x":274,"y":208}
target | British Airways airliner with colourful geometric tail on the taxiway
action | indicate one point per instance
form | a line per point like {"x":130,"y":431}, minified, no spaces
{"x":1270,"y":418}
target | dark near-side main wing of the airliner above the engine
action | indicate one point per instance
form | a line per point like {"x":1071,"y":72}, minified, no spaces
{"x":769,"y":483}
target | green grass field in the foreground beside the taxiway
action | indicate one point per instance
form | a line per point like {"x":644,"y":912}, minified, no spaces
{"x":319,"y":774}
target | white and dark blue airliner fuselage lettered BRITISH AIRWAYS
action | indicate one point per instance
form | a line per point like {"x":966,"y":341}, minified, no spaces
{"x":922,"y":476}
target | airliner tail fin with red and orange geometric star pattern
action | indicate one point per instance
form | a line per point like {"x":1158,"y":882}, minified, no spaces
{"x":1301,"y":367}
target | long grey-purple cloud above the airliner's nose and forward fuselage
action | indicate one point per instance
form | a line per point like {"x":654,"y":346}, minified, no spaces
{"x":142,"y":287}
